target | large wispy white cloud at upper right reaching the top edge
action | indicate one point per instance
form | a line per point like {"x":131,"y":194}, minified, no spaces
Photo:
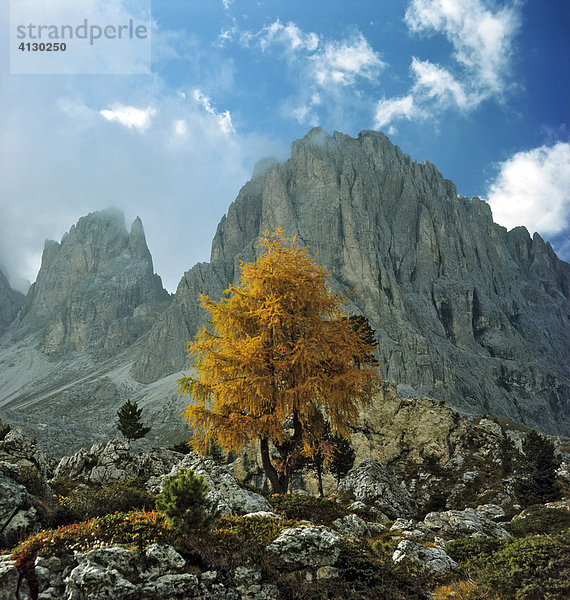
{"x":482,"y":37}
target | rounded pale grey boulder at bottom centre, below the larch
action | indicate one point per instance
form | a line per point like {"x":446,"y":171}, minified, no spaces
{"x":302,"y":547}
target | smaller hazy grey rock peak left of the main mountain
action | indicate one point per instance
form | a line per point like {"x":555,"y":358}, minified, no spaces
{"x":96,"y":290}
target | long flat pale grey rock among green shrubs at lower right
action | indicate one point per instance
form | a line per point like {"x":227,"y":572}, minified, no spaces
{"x":464,"y":523}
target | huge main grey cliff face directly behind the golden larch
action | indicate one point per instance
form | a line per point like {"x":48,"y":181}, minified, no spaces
{"x":465,"y":311}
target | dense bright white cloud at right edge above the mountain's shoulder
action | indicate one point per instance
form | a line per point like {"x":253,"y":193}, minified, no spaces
{"x":531,"y":189}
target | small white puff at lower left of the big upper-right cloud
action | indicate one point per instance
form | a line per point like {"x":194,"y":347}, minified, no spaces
{"x":436,"y":83}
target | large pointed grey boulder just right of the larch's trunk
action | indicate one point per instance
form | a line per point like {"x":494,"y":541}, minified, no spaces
{"x":372,"y":484}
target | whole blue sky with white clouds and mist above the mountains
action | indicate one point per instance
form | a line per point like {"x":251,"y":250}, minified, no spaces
{"x":480,"y":88}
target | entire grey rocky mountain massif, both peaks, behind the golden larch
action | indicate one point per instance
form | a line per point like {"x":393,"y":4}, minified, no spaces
{"x":465,"y":311}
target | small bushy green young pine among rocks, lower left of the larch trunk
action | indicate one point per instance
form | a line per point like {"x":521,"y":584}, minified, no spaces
{"x":184,"y":502}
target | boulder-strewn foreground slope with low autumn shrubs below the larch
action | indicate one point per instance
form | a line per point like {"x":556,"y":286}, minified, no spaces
{"x":262,"y":548}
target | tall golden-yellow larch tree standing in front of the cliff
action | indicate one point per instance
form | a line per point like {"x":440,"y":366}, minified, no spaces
{"x":277,"y":361}
